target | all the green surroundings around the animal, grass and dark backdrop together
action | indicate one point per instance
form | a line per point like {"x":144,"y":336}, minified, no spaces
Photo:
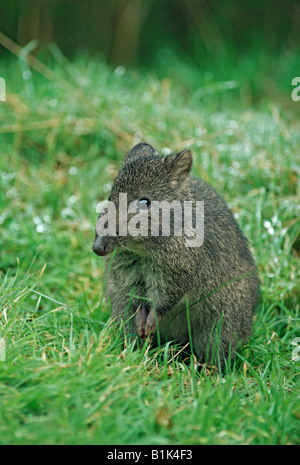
{"x":84,"y":82}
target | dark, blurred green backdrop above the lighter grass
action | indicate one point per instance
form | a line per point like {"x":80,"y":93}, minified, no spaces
{"x":193,"y":41}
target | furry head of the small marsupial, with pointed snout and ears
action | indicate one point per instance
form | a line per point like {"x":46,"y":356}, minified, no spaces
{"x":144,"y":180}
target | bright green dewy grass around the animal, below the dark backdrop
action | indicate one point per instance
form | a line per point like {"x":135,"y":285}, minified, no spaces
{"x":67,"y":377}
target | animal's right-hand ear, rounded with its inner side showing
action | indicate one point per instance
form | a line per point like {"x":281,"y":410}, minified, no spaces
{"x":178,"y":166}
